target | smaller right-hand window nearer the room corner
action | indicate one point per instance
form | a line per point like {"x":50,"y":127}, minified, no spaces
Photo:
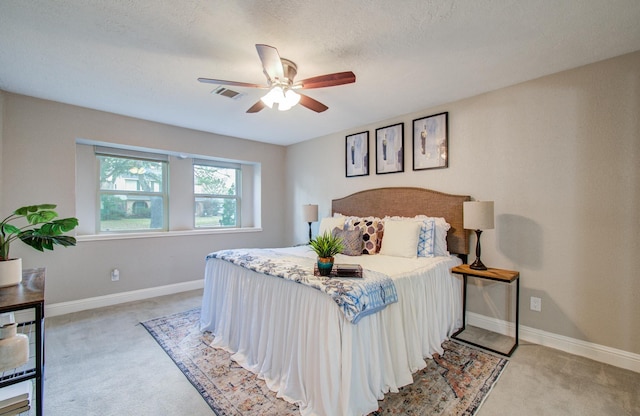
{"x":216,"y":189}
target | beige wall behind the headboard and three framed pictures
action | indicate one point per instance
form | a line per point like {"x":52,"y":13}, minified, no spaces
{"x":560,"y":156}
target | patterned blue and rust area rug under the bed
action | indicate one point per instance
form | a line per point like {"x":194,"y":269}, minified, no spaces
{"x":455,"y":383}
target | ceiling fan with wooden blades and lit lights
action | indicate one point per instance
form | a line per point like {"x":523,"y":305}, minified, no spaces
{"x":280,"y":73}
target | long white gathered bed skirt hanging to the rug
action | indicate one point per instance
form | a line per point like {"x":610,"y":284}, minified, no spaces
{"x":296,"y":338}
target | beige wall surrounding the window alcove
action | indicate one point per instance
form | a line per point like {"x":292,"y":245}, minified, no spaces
{"x":38,"y":166}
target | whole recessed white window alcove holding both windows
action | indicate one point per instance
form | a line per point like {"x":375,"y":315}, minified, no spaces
{"x":133,"y":192}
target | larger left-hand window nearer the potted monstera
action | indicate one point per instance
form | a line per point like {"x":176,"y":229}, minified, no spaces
{"x":133,"y":191}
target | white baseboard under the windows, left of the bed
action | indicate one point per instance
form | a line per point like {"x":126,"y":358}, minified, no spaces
{"x":63,"y":308}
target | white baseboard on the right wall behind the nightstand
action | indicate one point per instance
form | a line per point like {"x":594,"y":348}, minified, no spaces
{"x":596,"y":352}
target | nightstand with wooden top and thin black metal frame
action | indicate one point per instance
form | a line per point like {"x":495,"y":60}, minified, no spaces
{"x":496,"y":275}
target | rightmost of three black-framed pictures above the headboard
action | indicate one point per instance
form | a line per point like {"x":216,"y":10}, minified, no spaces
{"x":431,"y":142}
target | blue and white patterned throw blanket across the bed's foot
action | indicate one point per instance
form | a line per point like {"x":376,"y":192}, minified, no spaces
{"x":356,"y":297}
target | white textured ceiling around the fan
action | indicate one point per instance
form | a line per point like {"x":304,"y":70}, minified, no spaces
{"x":141,"y":58}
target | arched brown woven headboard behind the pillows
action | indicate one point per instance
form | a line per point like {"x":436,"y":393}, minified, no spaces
{"x":408,"y":202}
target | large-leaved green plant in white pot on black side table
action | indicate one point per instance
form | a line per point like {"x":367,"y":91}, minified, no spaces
{"x":41,"y":232}
